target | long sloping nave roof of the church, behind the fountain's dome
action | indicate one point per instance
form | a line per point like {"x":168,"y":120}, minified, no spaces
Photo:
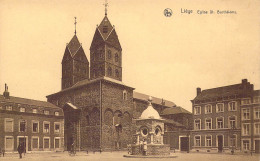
{"x":144,"y":97}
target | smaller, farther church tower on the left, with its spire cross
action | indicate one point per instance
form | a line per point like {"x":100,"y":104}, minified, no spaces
{"x":75,"y":65}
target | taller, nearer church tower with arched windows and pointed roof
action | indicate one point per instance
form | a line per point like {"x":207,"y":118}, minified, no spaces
{"x":105,"y":52}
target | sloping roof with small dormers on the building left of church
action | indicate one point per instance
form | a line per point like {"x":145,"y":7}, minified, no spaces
{"x":26,"y":101}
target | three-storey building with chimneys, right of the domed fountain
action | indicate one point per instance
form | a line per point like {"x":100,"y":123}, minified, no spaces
{"x":224,"y":117}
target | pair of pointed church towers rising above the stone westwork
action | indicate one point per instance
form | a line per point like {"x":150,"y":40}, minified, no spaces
{"x":105,"y":57}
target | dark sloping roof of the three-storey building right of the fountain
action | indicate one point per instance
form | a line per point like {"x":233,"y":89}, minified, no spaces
{"x":236,"y":89}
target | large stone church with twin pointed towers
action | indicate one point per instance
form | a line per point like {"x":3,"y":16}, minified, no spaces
{"x":99,"y":109}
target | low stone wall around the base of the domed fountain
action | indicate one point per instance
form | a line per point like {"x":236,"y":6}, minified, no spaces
{"x":152,"y":149}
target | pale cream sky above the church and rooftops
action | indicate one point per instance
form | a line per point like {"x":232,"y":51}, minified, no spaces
{"x":165,"y":57}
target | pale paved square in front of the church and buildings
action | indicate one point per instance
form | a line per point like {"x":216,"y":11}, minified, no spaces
{"x":118,"y":156}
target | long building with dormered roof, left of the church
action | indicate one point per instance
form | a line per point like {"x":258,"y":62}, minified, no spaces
{"x":38,"y":124}
